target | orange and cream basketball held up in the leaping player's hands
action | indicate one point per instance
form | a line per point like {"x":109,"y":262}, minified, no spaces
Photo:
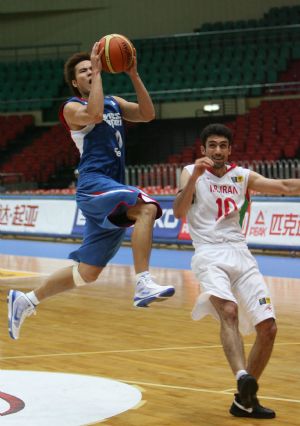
{"x":118,"y":53}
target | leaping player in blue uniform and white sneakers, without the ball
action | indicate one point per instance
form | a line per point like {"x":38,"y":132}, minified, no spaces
{"x":96,"y":126}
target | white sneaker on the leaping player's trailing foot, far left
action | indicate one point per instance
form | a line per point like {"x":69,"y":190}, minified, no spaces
{"x":19,"y":307}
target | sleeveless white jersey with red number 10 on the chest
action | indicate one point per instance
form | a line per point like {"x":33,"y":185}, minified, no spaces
{"x":215,"y":213}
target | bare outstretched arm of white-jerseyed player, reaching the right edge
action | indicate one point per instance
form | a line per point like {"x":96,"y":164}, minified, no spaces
{"x":264,"y":185}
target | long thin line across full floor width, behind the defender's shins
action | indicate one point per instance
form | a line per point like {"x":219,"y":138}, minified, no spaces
{"x":120,"y":351}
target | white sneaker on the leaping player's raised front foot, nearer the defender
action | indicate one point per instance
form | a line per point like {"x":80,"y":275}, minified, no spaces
{"x":147,"y":291}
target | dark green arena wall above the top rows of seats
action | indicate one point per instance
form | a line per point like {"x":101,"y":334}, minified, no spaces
{"x":64,"y":21}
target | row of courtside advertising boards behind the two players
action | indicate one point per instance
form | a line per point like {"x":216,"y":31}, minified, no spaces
{"x":269,"y":223}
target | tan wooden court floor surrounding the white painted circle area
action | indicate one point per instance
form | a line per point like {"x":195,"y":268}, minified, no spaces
{"x":178,"y":363}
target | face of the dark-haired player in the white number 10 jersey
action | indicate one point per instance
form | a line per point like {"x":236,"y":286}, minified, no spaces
{"x":218,"y":149}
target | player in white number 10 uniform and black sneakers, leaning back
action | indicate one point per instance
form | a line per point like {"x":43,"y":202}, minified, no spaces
{"x":211,"y":196}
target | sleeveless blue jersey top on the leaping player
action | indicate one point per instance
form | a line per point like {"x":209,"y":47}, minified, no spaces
{"x":101,"y":145}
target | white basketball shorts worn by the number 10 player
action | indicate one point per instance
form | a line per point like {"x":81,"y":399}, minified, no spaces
{"x":230,"y":272}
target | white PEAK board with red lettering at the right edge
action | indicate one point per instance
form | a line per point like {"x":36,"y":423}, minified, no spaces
{"x":273,"y":223}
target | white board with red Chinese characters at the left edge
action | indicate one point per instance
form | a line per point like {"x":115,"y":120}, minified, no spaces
{"x":37,"y":216}
